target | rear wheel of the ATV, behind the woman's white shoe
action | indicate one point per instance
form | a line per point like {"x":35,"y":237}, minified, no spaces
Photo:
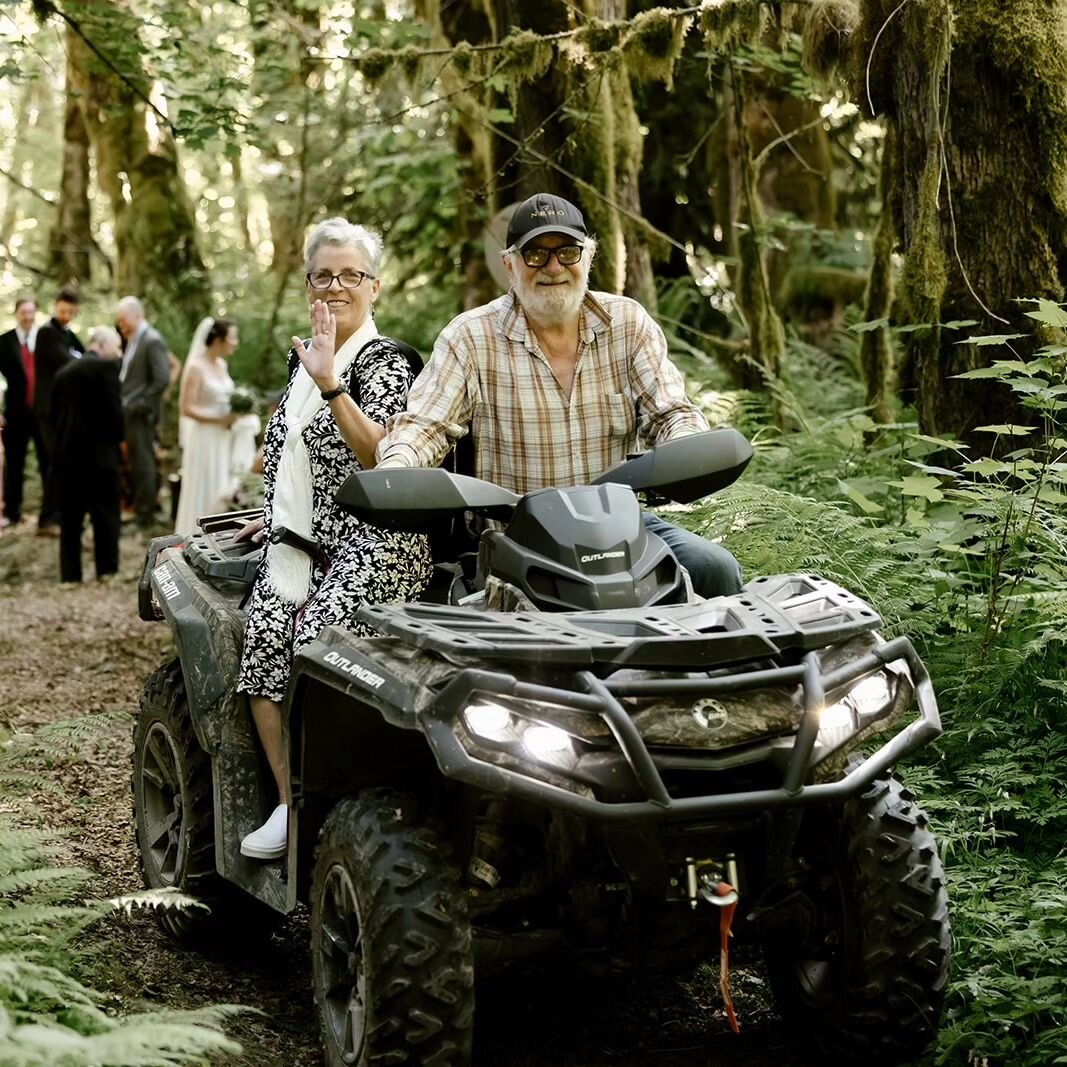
{"x":174,"y":820}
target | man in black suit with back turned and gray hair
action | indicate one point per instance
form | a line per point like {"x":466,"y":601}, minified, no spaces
{"x":88,"y":420}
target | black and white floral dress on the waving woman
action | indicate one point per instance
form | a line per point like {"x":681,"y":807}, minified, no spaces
{"x":365,"y":563}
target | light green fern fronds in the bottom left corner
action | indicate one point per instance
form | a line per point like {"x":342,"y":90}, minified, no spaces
{"x":49,"y":1017}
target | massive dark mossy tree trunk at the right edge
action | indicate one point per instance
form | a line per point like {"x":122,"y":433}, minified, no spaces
{"x":978,"y":91}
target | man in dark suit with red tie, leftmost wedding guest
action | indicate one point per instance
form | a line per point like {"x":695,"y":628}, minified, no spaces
{"x":20,"y":424}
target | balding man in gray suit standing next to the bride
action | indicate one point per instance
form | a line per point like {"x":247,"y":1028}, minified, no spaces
{"x":146,"y":374}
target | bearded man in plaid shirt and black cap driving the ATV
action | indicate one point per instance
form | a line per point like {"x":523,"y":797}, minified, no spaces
{"x":556,"y":384}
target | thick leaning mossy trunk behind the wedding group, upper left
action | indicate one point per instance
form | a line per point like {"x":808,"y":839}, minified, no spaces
{"x":137,"y":167}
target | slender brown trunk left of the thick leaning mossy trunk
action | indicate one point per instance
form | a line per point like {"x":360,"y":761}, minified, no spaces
{"x":71,"y":242}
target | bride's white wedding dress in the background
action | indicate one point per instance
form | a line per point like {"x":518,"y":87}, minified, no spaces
{"x":206,"y":455}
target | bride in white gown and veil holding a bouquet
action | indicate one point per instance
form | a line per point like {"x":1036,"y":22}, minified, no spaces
{"x":204,"y":429}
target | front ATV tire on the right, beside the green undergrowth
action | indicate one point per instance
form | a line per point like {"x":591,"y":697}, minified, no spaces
{"x":867,"y":986}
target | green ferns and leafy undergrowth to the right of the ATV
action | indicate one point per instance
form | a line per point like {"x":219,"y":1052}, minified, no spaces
{"x":969,"y":561}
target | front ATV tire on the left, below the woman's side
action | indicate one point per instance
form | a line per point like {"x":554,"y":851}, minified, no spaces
{"x":391,"y":939}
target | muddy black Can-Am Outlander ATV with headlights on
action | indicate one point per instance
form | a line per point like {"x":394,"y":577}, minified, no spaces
{"x":567,"y":752}
